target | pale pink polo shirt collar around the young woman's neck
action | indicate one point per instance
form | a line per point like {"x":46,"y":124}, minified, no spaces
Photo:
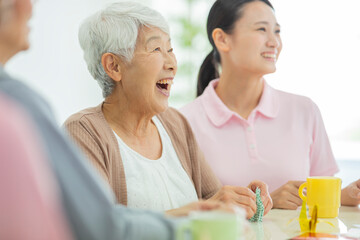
{"x":219,"y":113}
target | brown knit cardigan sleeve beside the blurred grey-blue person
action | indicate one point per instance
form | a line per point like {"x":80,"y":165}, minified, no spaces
{"x":96,"y":139}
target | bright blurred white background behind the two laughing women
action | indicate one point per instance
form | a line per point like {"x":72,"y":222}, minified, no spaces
{"x":320,"y":59}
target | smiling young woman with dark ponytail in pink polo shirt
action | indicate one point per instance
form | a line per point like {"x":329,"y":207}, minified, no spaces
{"x":246,"y":128}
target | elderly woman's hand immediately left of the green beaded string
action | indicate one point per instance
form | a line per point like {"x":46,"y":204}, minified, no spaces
{"x":238,"y":196}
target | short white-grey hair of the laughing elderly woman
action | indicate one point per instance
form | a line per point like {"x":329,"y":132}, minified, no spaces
{"x":115,"y":30}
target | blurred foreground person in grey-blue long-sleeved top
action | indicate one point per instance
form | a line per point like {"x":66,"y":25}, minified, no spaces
{"x":89,"y":205}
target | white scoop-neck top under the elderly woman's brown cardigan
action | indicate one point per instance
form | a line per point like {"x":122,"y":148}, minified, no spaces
{"x":160,"y":184}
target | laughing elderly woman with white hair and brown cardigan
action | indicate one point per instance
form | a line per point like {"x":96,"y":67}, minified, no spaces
{"x":144,"y":150}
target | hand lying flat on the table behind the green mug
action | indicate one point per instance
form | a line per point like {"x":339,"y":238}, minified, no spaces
{"x":199,"y":206}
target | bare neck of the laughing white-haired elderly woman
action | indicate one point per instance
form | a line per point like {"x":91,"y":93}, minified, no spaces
{"x":125,"y":119}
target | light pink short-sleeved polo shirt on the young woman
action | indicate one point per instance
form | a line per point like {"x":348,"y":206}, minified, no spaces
{"x":283,"y":139}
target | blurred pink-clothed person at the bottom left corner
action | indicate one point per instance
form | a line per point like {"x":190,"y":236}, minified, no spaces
{"x":29,"y":203}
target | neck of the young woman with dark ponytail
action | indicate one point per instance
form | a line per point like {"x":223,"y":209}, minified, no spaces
{"x":240,"y":91}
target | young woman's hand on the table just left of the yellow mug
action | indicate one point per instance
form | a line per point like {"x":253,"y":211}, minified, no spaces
{"x":287,"y":196}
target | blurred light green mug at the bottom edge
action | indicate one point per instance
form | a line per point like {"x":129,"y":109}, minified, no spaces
{"x":212,"y":225}
